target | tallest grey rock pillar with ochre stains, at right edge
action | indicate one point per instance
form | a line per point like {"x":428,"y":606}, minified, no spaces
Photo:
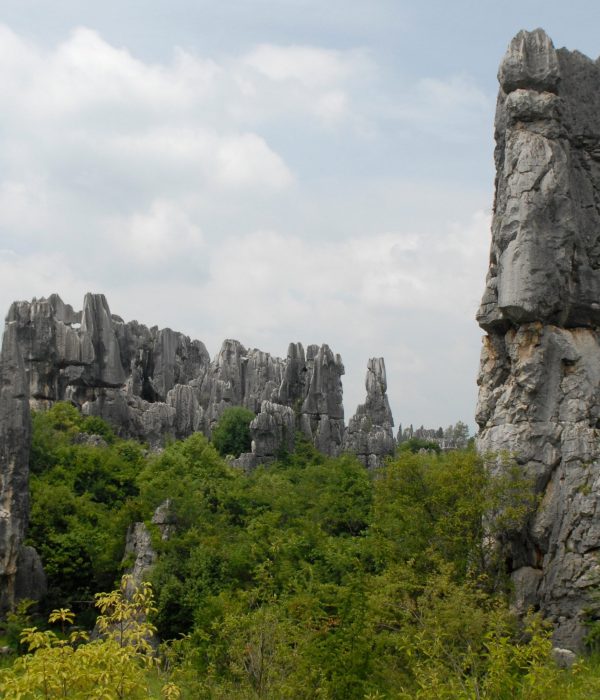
{"x":540,"y":366}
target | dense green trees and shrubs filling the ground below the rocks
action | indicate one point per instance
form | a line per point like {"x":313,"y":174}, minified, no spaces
{"x":308,"y":578}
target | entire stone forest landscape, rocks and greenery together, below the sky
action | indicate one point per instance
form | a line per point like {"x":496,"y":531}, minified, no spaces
{"x":311,"y":558}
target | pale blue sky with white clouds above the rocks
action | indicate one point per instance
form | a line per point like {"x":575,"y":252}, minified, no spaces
{"x":267,"y":170}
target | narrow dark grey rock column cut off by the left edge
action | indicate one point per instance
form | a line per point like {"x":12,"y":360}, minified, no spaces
{"x":21,"y":573}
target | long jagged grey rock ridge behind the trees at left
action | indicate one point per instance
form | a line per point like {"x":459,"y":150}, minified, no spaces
{"x":151,"y":384}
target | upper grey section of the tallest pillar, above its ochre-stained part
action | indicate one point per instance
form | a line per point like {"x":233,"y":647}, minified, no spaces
{"x":545,"y":256}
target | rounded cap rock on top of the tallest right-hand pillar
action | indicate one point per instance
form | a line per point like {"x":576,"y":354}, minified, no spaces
{"x":530,"y":63}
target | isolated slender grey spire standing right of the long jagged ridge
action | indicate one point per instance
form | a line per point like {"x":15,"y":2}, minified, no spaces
{"x":369,"y":434}
